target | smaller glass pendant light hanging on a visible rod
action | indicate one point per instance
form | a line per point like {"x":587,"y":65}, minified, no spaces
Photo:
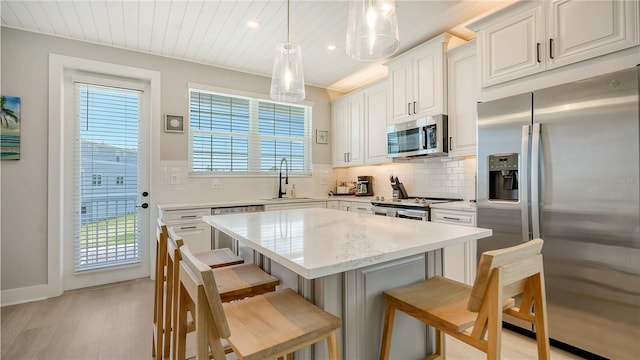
{"x":287,"y":81}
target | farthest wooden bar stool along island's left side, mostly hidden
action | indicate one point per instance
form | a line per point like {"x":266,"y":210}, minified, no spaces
{"x":164,"y":275}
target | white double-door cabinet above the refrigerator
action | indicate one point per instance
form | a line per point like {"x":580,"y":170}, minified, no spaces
{"x":532,"y":36}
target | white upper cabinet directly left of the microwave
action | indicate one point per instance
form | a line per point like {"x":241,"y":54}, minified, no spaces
{"x":376,"y":99}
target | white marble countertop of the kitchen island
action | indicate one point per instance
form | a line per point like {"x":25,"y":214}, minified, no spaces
{"x":320,"y":242}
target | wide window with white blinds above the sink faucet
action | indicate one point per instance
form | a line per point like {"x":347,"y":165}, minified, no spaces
{"x":236,"y":135}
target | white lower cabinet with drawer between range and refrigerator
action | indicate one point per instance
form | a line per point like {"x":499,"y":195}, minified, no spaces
{"x":459,"y":260}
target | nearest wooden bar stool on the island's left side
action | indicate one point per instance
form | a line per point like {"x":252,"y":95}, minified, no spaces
{"x":265,"y":326}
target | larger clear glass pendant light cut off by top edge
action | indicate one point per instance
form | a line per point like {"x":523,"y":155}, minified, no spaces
{"x":372,"y":30}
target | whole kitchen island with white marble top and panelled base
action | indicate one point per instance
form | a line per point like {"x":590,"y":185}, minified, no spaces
{"x":342,"y":261}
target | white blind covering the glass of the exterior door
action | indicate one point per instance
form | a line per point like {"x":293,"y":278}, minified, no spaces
{"x":106,"y":177}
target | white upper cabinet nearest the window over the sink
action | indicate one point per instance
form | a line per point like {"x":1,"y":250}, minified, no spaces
{"x":347,"y":127}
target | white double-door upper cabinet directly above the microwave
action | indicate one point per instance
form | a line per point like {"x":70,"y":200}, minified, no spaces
{"x":417,"y":80}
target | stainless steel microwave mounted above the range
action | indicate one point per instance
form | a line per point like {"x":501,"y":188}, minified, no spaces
{"x":420,"y":137}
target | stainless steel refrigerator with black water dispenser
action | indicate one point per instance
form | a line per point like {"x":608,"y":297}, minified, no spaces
{"x":562,"y":164}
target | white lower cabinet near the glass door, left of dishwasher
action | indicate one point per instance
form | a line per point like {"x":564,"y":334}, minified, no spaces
{"x":188,"y":224}
